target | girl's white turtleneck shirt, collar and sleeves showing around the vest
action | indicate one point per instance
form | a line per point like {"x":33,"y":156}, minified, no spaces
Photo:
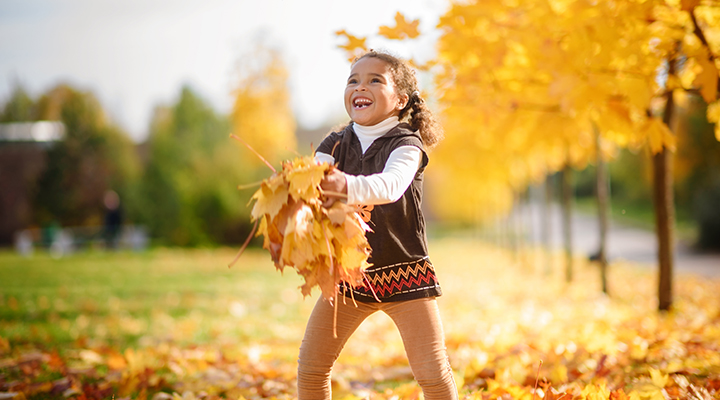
{"x":397,"y":175}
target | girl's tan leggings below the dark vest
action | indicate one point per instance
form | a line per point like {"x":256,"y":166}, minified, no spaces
{"x":420,"y":328}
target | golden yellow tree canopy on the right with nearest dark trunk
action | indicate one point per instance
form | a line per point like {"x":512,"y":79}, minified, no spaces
{"x":527,"y":88}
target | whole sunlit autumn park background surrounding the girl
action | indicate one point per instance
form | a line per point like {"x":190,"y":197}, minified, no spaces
{"x":573,"y":206}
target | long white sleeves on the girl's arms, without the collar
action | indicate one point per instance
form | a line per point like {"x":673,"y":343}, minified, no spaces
{"x":384,"y":187}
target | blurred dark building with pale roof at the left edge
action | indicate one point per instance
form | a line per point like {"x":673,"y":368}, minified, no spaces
{"x":23,"y":156}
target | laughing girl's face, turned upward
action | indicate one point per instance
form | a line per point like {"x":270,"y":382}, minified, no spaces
{"x":370,"y":95}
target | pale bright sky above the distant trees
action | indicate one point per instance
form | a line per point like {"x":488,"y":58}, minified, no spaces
{"x":137,"y":54}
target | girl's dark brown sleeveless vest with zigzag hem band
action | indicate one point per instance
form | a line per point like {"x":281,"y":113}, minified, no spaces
{"x":401,"y":269}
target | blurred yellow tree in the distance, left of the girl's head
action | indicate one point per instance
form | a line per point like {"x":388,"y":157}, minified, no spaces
{"x":262,"y":114}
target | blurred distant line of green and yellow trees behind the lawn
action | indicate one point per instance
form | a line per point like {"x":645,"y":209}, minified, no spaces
{"x":182,"y":182}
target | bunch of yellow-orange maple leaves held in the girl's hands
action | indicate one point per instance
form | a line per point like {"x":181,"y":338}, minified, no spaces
{"x":326,"y":246}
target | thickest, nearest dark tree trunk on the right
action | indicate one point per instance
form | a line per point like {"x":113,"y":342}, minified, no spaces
{"x":665,"y":209}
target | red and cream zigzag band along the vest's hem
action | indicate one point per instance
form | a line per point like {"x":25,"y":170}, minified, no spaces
{"x":399,"y":281}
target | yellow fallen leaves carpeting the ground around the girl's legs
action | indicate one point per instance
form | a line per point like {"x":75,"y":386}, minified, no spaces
{"x":512,"y":331}
